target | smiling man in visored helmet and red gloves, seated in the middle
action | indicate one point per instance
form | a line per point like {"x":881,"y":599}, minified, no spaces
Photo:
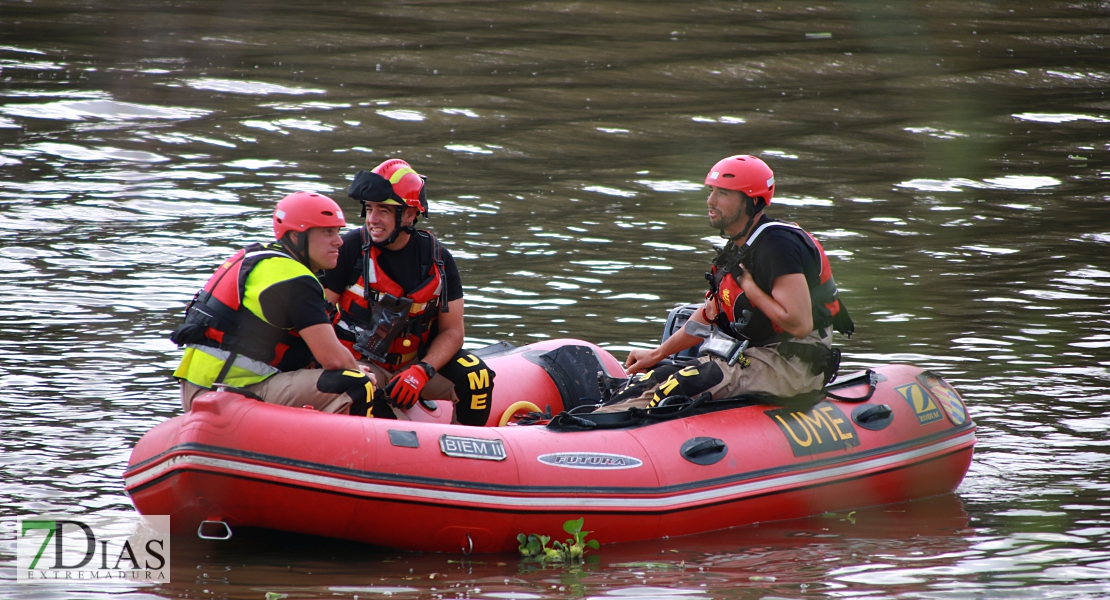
{"x":401,"y":300}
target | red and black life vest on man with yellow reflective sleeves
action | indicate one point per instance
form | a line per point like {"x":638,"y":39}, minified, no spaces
{"x":218,"y":319}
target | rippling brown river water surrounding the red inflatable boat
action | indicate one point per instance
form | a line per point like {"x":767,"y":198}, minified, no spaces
{"x":953,"y":158}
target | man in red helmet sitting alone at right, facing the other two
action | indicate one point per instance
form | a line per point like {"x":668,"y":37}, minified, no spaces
{"x":771,"y":289}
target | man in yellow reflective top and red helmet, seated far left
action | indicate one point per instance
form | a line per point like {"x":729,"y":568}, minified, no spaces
{"x":263,"y":324}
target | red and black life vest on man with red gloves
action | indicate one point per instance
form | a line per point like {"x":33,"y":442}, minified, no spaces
{"x":369,"y":282}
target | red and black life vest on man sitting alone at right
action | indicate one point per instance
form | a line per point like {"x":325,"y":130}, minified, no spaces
{"x":824,"y":297}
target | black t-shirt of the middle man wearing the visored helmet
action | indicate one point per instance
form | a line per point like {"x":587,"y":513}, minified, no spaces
{"x":401,"y":266}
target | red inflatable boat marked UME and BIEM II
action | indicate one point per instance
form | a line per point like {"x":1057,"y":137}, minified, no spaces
{"x":234,"y":462}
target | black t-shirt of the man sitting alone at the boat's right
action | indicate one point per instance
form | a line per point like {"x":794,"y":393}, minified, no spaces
{"x":778,"y":252}
